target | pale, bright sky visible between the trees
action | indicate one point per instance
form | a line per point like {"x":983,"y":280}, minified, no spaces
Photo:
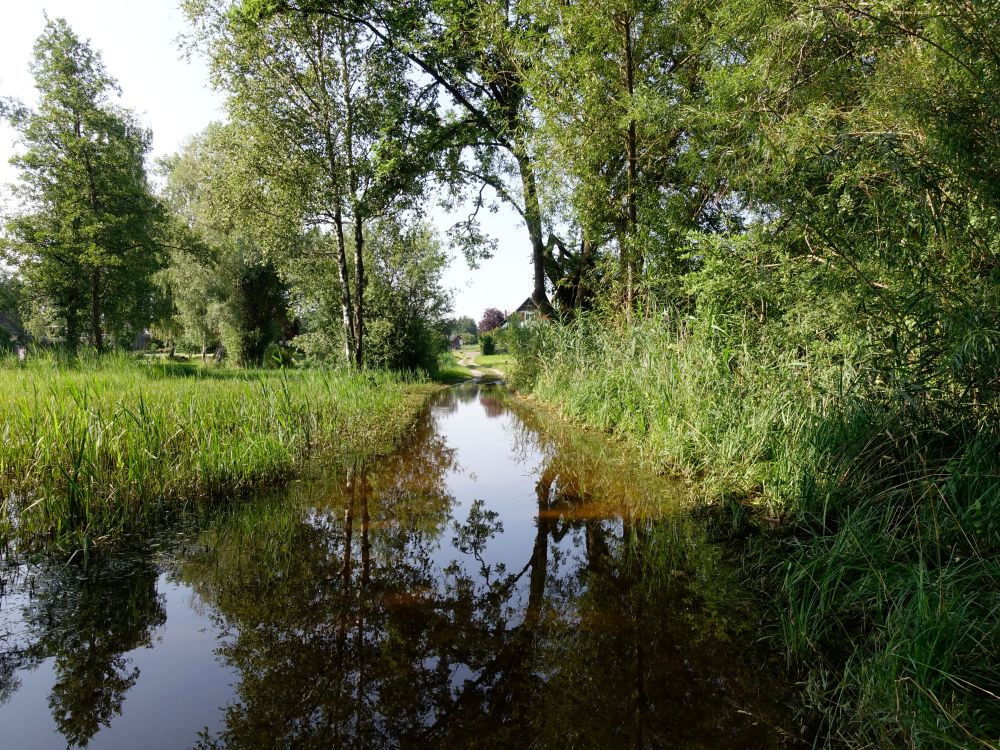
{"x":139,"y":43}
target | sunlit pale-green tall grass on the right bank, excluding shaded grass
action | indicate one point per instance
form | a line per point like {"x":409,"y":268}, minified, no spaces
{"x":692,"y":400}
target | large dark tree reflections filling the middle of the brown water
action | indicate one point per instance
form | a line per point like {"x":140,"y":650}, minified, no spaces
{"x":366,"y":616}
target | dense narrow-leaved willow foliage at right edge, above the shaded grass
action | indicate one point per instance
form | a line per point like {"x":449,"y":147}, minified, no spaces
{"x":861,"y":140}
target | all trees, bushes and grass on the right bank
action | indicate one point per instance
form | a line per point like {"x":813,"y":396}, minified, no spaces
{"x":794,"y":304}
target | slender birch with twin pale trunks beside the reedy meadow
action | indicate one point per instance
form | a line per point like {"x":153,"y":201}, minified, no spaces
{"x":334,"y":132}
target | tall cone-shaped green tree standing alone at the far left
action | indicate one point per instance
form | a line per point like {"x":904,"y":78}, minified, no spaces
{"x":86,"y":242}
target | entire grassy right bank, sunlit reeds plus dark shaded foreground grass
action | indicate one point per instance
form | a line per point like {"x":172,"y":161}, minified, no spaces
{"x":877,"y":518}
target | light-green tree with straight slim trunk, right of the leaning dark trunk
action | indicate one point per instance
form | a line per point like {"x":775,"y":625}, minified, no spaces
{"x":614,"y":83}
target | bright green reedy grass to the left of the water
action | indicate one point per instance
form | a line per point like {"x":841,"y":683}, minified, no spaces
{"x":93,"y":451}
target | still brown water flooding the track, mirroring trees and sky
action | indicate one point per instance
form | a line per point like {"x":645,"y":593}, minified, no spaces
{"x":502,"y":581}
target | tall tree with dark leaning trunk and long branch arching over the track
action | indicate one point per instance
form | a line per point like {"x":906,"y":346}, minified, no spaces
{"x":472,"y":54}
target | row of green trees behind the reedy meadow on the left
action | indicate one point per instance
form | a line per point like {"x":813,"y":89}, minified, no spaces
{"x":221,"y":258}
